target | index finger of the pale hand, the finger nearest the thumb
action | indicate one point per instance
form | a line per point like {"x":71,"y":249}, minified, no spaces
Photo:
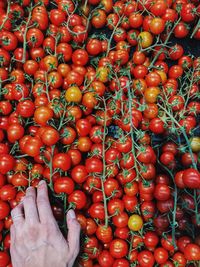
{"x":43,"y":204}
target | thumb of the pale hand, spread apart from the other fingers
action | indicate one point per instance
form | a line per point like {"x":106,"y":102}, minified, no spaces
{"x":73,"y":236}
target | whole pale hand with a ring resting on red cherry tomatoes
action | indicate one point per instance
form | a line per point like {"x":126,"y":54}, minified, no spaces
{"x":35,"y":236}
